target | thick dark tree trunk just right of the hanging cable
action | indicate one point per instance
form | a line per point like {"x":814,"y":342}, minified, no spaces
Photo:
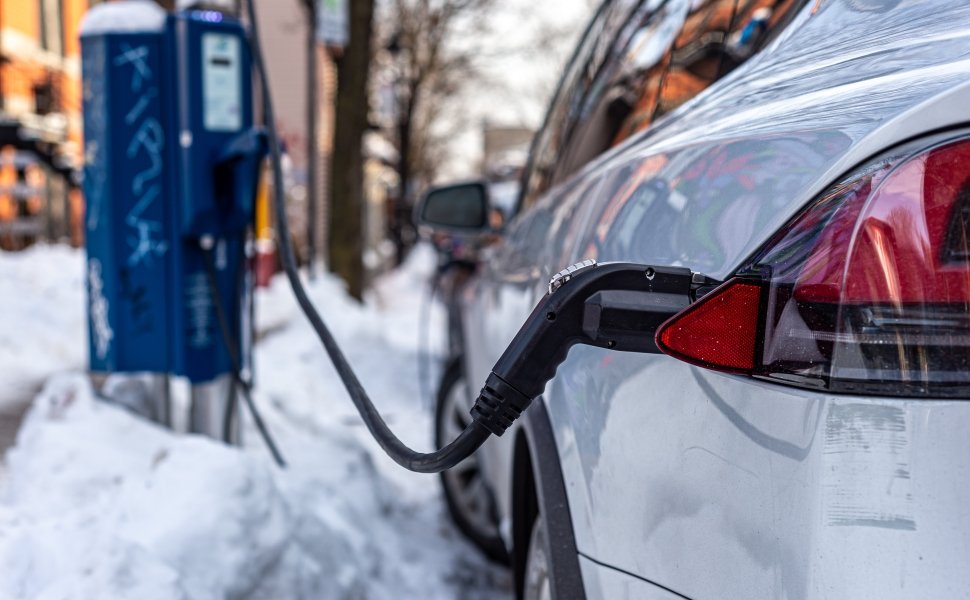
{"x":347,"y":179}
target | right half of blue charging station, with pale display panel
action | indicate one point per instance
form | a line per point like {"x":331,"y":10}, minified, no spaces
{"x":216,"y":176}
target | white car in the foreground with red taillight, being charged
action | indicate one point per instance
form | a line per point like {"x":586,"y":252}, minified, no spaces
{"x":805,"y":433}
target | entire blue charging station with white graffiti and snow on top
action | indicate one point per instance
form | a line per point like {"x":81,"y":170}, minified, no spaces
{"x":172,"y":161}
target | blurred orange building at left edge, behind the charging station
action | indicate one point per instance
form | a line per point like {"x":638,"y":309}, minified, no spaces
{"x":40,"y":121}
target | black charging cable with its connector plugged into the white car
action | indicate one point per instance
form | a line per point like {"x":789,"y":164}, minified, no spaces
{"x":615,"y":306}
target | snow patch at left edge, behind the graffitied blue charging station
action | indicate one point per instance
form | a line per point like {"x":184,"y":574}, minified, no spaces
{"x":42,"y":322}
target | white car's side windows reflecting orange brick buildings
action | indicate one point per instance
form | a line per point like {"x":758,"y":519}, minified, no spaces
{"x":639,"y":61}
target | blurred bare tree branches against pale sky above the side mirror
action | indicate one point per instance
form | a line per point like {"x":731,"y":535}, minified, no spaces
{"x":445,"y":51}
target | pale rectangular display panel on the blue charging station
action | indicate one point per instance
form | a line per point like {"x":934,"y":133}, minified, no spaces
{"x":222,"y":82}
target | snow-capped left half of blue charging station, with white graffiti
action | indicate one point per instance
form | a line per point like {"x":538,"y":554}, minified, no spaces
{"x":127,"y":187}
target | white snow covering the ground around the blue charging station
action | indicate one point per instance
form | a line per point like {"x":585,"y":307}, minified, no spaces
{"x":99,"y":503}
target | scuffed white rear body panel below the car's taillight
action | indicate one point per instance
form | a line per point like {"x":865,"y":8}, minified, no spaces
{"x":720,"y":487}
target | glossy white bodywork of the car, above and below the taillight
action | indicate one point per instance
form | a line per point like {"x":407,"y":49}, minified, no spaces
{"x":723,"y":487}
